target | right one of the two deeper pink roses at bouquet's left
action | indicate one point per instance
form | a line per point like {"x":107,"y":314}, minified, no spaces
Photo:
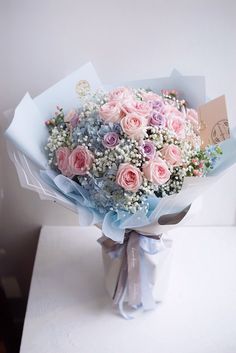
{"x":80,"y":160}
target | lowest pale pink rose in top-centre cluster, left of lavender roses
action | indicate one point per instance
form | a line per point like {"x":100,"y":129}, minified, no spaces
{"x":134,"y":125}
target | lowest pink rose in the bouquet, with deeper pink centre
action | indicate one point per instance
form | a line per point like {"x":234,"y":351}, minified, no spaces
{"x":129,"y":177}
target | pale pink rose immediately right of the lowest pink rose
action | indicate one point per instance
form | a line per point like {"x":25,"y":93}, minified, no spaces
{"x":156,"y":171}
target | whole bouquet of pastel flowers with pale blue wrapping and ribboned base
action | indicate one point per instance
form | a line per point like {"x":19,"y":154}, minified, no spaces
{"x":130,"y":160}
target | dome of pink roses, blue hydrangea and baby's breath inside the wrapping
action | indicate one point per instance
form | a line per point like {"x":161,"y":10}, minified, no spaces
{"x":127,"y":145}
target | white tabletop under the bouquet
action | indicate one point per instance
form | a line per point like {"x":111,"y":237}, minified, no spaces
{"x":70,"y":312}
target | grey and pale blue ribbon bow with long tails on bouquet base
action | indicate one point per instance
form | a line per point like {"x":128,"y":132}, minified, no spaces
{"x":135,"y":275}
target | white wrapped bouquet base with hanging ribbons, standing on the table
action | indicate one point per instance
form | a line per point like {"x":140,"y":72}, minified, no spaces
{"x":137,"y":275}
